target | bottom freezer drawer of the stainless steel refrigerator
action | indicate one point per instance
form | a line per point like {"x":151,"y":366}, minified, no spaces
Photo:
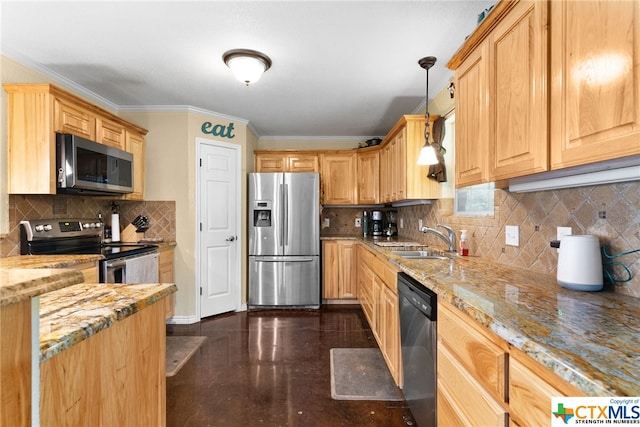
{"x":284,"y":282}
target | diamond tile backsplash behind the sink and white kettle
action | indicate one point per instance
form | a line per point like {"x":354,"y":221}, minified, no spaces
{"x":611,"y":212}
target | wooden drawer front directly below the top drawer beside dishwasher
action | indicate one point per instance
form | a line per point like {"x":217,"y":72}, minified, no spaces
{"x":478,"y":405}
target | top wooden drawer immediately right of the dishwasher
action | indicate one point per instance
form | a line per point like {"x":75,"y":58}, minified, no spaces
{"x":482,"y":358}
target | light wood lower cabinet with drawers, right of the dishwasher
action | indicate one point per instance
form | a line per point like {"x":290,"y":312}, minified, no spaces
{"x":507,"y":385}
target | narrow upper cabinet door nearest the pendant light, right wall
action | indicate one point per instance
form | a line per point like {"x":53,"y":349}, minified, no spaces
{"x":472,"y":119}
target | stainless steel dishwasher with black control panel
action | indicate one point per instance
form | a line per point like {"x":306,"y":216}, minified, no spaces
{"x":418,"y":334}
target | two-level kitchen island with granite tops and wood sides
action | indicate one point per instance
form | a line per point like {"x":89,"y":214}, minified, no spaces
{"x":97,"y":355}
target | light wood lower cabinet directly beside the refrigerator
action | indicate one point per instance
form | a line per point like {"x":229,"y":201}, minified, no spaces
{"x":339,"y":274}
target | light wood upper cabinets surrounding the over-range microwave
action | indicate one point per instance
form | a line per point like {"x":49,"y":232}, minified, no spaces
{"x":35,"y":113}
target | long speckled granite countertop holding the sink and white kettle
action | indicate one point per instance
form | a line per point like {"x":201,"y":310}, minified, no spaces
{"x":590,"y":339}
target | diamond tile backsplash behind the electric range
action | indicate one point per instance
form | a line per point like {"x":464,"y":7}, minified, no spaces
{"x":162,"y":215}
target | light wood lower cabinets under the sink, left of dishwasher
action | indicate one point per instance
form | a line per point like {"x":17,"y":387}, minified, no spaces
{"x":378,"y":295}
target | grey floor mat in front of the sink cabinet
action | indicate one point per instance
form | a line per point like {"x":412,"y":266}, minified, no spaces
{"x":361,"y":374}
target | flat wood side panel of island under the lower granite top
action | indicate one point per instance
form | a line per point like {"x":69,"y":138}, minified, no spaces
{"x":116,"y":377}
